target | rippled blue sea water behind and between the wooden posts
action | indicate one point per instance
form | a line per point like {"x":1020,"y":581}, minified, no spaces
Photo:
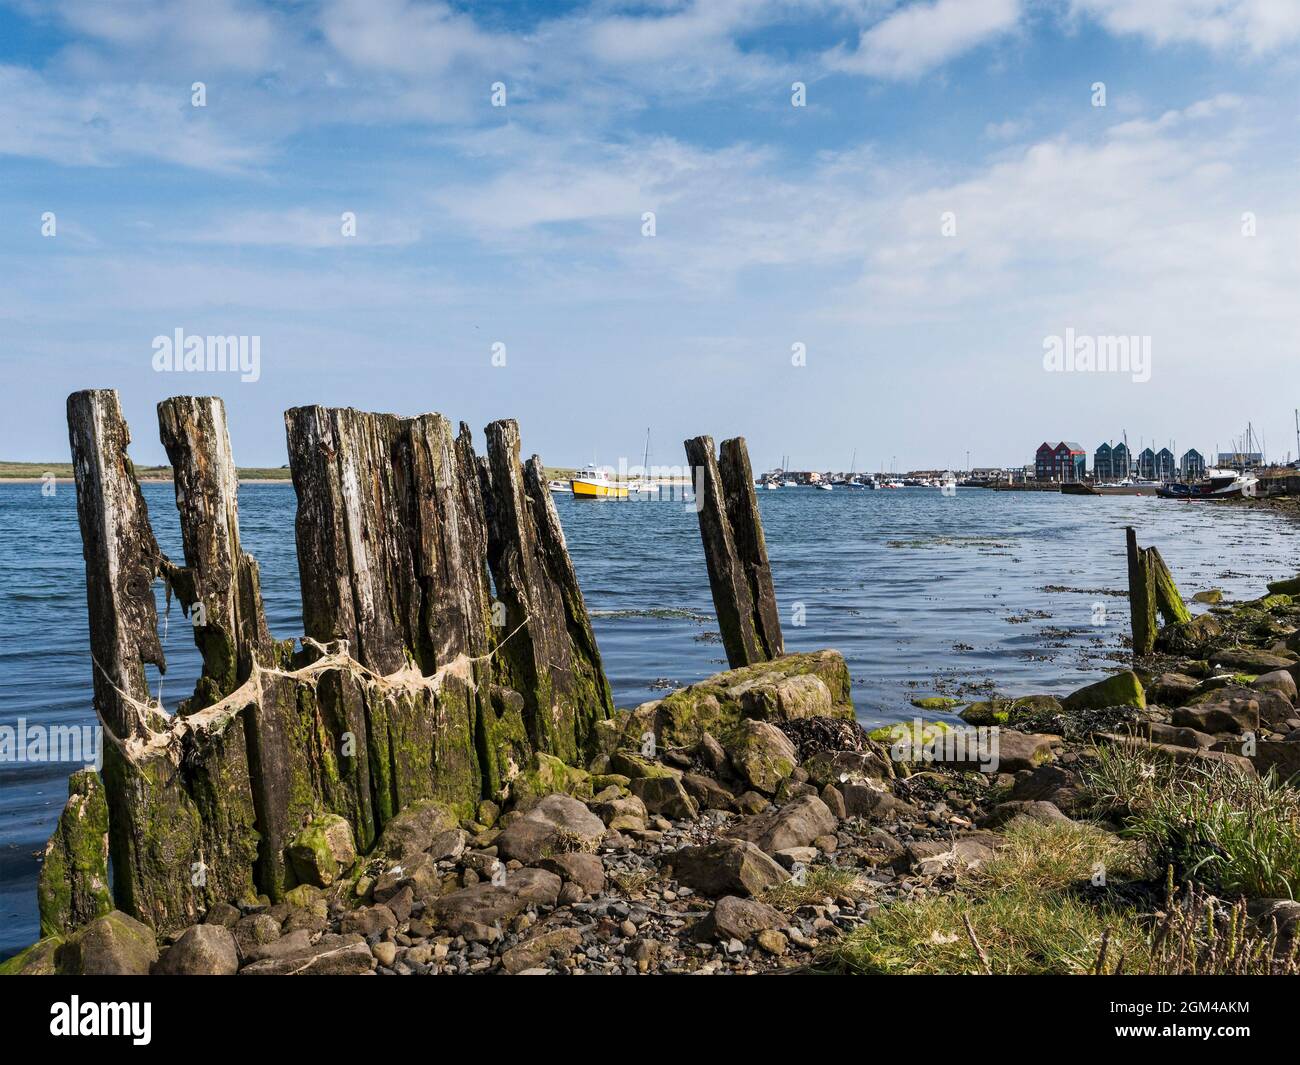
{"x":924,"y":594}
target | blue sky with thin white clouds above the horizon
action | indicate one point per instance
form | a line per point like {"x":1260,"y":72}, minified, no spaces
{"x":775,"y":226}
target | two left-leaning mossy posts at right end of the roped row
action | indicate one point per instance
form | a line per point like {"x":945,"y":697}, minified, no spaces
{"x":549,"y":655}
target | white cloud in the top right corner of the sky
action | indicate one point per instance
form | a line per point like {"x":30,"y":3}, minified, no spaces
{"x":1258,"y":27}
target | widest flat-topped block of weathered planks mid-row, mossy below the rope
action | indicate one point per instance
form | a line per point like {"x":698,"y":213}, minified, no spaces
{"x":391,"y":560}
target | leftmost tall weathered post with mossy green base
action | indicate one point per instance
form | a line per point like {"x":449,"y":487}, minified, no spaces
{"x":154,"y":824}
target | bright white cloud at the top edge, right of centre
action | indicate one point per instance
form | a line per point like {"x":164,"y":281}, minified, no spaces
{"x":921,"y":37}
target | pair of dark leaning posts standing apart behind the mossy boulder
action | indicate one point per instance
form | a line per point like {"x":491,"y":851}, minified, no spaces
{"x":735,"y":552}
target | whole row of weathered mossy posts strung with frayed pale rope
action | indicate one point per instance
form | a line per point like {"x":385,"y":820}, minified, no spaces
{"x":447,"y":643}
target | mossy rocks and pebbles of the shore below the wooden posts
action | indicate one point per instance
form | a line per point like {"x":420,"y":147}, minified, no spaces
{"x":744,"y":825}
